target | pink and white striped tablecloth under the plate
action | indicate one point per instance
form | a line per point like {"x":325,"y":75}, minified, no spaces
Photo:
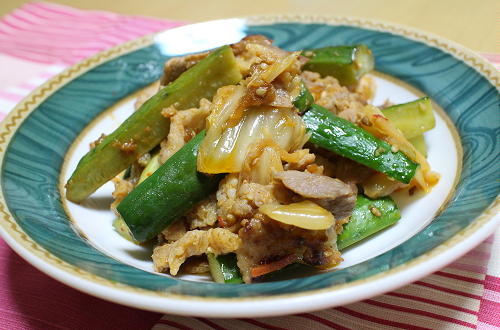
{"x":36,"y":42}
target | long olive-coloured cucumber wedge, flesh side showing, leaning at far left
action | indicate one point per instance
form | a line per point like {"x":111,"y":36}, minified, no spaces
{"x":144,"y":129}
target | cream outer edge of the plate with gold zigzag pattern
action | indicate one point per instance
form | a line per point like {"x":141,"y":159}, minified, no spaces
{"x":456,"y":246}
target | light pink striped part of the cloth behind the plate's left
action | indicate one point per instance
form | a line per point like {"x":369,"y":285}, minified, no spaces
{"x":47,"y":33}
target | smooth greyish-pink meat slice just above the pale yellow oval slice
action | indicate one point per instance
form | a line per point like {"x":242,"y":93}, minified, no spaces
{"x":332,"y":194}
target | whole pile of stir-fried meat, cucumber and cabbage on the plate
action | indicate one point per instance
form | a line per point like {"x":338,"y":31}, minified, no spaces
{"x":249,"y":158}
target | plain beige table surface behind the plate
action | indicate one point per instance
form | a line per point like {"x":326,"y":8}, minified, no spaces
{"x":475,"y":24}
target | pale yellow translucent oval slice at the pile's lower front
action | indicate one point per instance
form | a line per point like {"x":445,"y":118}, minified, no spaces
{"x":306,"y":215}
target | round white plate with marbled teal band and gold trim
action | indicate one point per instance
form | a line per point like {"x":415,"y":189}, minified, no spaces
{"x":46,"y":133}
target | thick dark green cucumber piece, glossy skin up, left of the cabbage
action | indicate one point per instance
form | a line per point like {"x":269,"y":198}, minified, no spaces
{"x":169,"y":193}
